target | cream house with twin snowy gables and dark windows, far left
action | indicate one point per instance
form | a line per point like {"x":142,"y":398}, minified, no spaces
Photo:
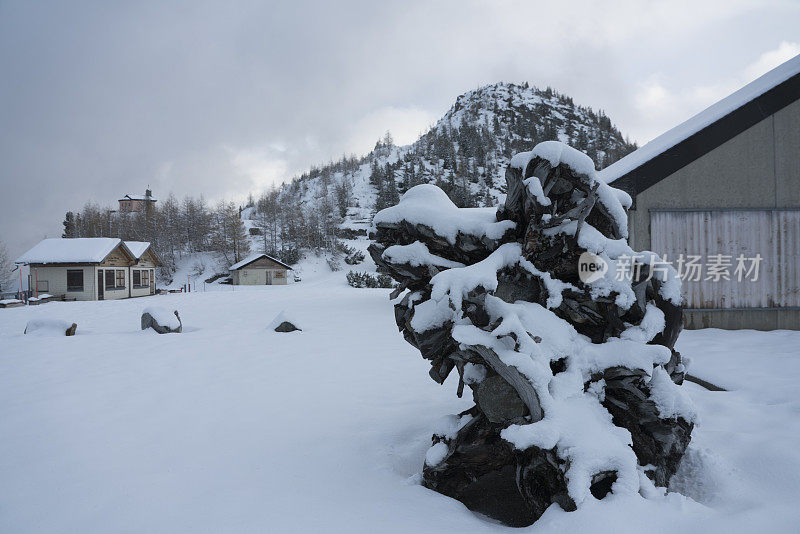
{"x":96,"y":268}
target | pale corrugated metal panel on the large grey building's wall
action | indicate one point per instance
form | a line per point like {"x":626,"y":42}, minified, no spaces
{"x":772,"y":234}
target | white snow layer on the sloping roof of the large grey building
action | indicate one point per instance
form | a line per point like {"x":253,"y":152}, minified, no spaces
{"x":705,"y":118}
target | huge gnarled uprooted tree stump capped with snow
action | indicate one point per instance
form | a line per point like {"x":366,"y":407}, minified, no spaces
{"x":575,"y":378}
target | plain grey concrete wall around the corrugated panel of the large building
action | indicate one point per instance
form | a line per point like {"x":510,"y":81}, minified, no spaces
{"x":759,"y":168}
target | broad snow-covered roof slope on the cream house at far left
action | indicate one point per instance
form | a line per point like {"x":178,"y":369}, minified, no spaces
{"x":76,"y":250}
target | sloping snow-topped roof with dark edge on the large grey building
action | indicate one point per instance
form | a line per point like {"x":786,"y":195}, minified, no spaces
{"x":707,"y":130}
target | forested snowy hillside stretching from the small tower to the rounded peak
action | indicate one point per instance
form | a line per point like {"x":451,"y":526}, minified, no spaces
{"x":465,"y":154}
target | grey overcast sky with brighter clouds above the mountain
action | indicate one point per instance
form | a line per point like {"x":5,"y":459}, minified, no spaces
{"x":99,"y":99}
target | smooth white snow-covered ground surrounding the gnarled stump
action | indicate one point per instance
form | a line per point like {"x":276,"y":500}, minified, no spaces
{"x":229,"y":427}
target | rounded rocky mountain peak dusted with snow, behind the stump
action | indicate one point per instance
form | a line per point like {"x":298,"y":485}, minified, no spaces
{"x":464,"y":153}
